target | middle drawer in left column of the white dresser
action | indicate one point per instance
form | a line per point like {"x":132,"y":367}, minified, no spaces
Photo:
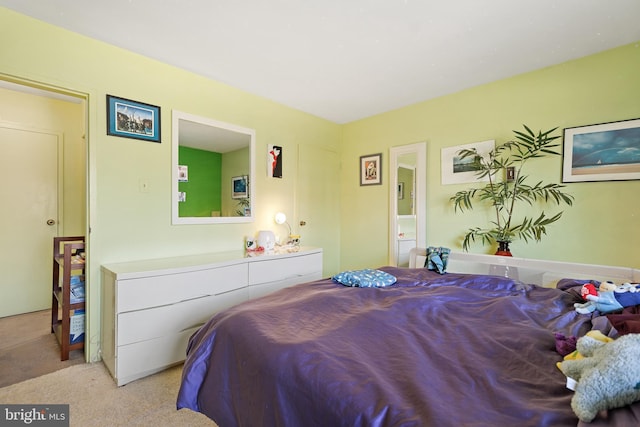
{"x":141,"y":325}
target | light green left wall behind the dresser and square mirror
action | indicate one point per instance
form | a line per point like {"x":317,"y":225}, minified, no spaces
{"x":127,"y":224}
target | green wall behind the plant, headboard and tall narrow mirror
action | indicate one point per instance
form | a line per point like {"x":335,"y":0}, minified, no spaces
{"x":602,"y":227}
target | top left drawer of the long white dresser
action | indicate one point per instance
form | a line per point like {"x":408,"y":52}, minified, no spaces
{"x":145,"y":292}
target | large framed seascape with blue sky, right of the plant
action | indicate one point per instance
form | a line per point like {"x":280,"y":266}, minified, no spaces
{"x":602,"y":152}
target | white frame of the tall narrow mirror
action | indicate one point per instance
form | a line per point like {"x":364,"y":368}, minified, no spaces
{"x":420,"y":149}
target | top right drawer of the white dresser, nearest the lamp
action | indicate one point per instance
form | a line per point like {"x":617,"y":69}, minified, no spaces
{"x":292,"y":269}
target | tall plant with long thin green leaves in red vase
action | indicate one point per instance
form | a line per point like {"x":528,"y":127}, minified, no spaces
{"x":507,"y":188}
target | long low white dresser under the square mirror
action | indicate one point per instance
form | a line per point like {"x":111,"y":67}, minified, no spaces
{"x":150,"y":308}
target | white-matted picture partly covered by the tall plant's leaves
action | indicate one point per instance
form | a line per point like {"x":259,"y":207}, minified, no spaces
{"x":459,"y":171}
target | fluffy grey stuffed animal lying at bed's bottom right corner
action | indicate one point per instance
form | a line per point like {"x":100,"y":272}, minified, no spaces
{"x":608,"y":375}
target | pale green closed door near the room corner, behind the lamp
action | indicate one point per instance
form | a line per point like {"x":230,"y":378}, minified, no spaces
{"x":318,"y":201}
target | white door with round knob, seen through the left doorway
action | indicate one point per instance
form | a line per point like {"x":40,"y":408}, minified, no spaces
{"x":29,"y":194}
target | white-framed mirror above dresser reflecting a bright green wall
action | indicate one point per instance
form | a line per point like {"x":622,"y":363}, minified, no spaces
{"x":213,"y":170}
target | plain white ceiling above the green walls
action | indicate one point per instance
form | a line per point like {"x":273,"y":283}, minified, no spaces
{"x":344,"y":60}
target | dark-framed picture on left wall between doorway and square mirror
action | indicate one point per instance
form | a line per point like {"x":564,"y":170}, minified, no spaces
{"x":132,"y":119}
